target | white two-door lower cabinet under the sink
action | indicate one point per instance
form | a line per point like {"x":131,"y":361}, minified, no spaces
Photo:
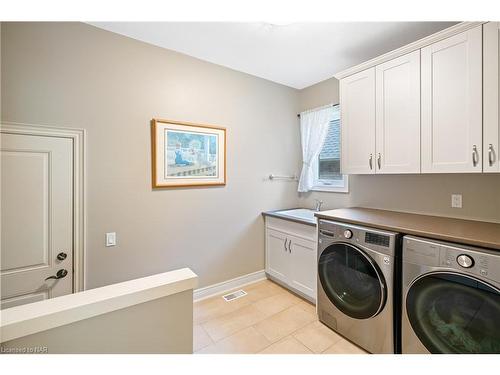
{"x":291,"y":255}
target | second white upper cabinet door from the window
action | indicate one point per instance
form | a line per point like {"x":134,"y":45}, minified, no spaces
{"x":398,"y":115}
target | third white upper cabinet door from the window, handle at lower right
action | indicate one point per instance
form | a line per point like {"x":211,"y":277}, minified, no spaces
{"x":452,"y":104}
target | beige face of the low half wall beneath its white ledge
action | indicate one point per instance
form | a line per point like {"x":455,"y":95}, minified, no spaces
{"x":163,"y":325}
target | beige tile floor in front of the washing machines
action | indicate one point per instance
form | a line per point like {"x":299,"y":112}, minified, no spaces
{"x":268,"y":320}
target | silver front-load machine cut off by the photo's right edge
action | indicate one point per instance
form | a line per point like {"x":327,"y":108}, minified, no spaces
{"x":451,"y":298}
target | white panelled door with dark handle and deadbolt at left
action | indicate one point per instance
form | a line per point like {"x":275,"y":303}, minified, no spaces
{"x":37,"y":218}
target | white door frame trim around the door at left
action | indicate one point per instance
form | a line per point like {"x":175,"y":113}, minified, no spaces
{"x":78,"y":136}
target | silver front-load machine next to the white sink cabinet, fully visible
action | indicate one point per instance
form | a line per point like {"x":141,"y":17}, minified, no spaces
{"x":358,"y":285}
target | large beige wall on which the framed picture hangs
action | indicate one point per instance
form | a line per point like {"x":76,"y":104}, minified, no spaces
{"x":76,"y":75}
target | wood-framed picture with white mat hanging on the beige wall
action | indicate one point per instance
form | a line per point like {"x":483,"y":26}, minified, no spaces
{"x":185,"y":154}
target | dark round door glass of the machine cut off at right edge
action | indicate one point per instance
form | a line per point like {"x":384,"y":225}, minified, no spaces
{"x":452,"y":313}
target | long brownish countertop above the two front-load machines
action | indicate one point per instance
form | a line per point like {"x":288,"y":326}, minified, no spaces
{"x":468,"y":232}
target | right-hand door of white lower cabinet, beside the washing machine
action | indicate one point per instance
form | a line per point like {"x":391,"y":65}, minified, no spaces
{"x":303,"y":266}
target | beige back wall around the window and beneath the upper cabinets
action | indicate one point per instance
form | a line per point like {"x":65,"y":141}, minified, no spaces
{"x":429,"y":194}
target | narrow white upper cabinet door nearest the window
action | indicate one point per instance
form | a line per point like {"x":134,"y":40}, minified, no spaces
{"x":357,"y":111}
